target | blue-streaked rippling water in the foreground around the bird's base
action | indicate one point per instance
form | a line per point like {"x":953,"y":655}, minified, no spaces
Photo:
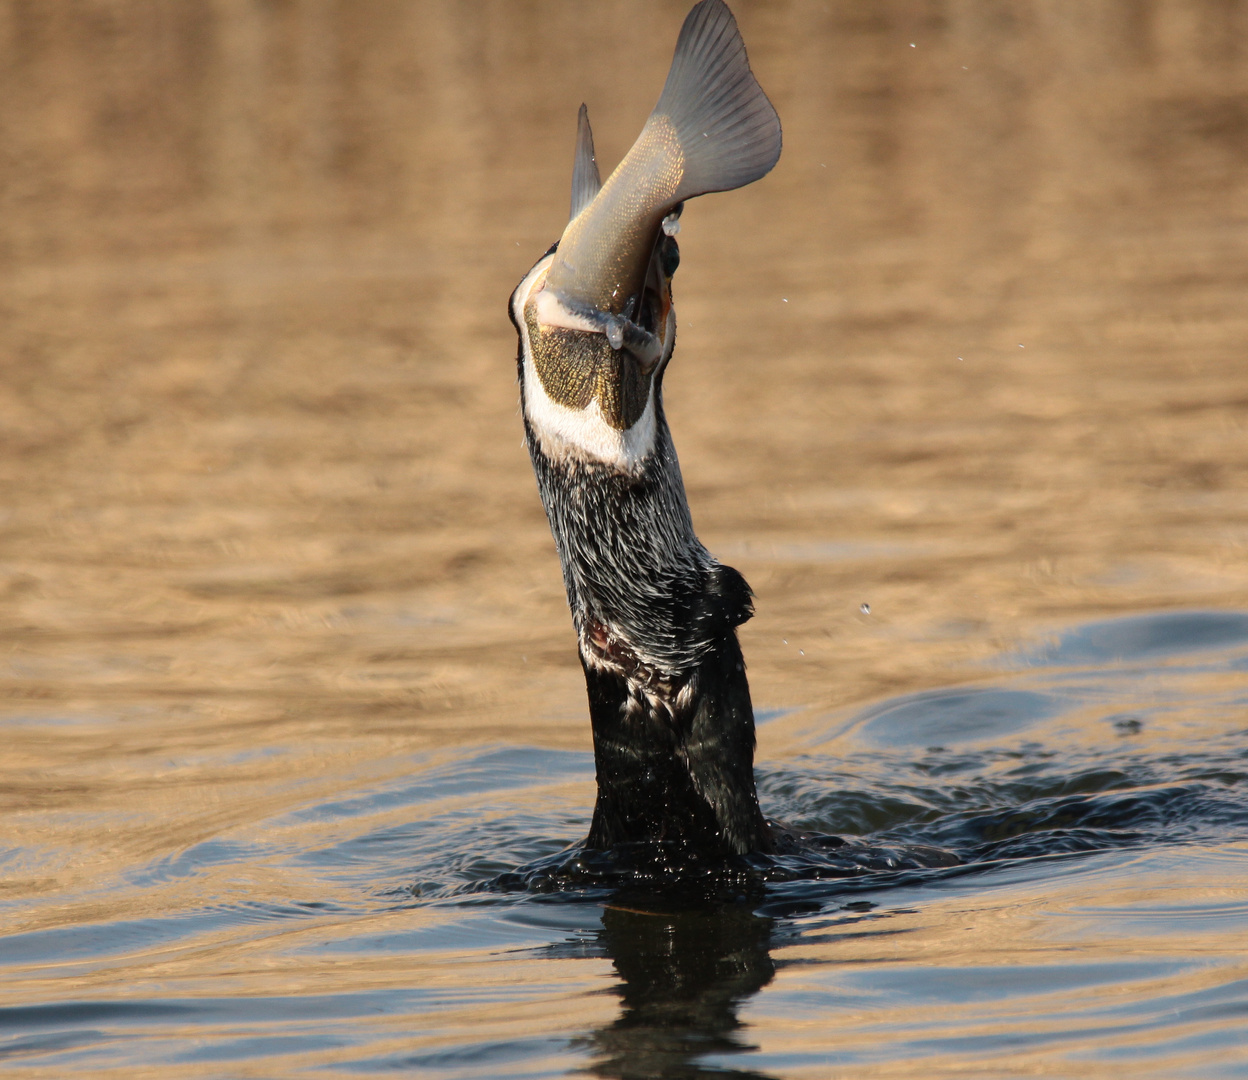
{"x":1099,"y":797}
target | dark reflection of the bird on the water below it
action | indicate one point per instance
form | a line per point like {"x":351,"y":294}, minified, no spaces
{"x":683,"y":977}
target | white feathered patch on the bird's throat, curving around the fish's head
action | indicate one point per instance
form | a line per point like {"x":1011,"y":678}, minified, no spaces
{"x":580,"y":434}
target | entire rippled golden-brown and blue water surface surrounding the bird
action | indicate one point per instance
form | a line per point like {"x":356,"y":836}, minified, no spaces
{"x":293,"y":722}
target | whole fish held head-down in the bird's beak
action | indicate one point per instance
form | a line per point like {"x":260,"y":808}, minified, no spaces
{"x":600,"y":318}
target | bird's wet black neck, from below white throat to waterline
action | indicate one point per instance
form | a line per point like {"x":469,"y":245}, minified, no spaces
{"x":657,"y":621}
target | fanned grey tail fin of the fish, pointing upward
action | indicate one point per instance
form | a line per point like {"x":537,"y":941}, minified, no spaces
{"x":729,"y":133}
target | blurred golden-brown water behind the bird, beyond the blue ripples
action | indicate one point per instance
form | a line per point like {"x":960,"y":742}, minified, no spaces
{"x":974,"y":354}
